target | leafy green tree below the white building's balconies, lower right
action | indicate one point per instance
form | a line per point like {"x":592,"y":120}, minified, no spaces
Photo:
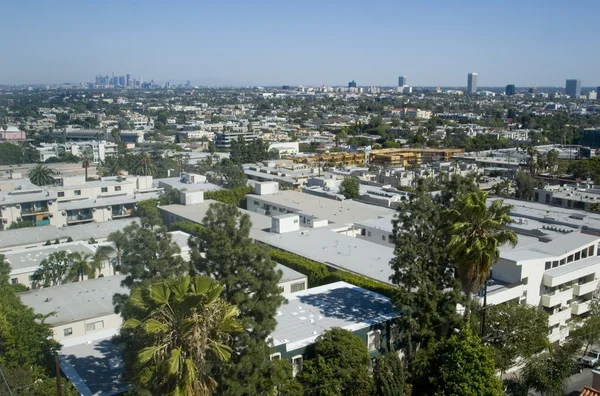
{"x":515,"y":331}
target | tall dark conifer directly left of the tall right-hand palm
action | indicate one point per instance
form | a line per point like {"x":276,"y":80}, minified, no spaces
{"x":427,"y":291}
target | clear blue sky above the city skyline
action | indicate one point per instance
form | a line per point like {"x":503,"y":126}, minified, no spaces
{"x":309,"y":42}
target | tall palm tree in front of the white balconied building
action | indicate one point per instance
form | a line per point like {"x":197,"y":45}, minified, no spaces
{"x":476,"y":233}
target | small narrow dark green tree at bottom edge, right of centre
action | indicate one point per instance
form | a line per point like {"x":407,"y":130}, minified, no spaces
{"x":388,"y":374}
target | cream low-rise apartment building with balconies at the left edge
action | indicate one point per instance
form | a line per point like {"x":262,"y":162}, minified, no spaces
{"x":75,"y":200}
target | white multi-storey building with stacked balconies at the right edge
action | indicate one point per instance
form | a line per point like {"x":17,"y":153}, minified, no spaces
{"x":560,"y":276}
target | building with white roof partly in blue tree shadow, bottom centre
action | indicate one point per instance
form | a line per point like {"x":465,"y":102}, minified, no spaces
{"x":308,"y":314}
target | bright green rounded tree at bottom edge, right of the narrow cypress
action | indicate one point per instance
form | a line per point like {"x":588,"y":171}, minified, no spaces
{"x":460,"y":365}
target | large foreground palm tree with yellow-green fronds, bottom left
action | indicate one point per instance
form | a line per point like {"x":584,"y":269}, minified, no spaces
{"x":176,"y":330}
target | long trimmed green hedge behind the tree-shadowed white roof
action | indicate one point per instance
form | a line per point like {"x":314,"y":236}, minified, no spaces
{"x":319,"y":274}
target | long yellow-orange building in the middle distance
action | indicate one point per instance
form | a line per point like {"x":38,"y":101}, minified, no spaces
{"x":411,"y":156}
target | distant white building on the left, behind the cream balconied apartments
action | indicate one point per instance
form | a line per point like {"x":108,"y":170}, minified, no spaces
{"x":99,"y":150}
